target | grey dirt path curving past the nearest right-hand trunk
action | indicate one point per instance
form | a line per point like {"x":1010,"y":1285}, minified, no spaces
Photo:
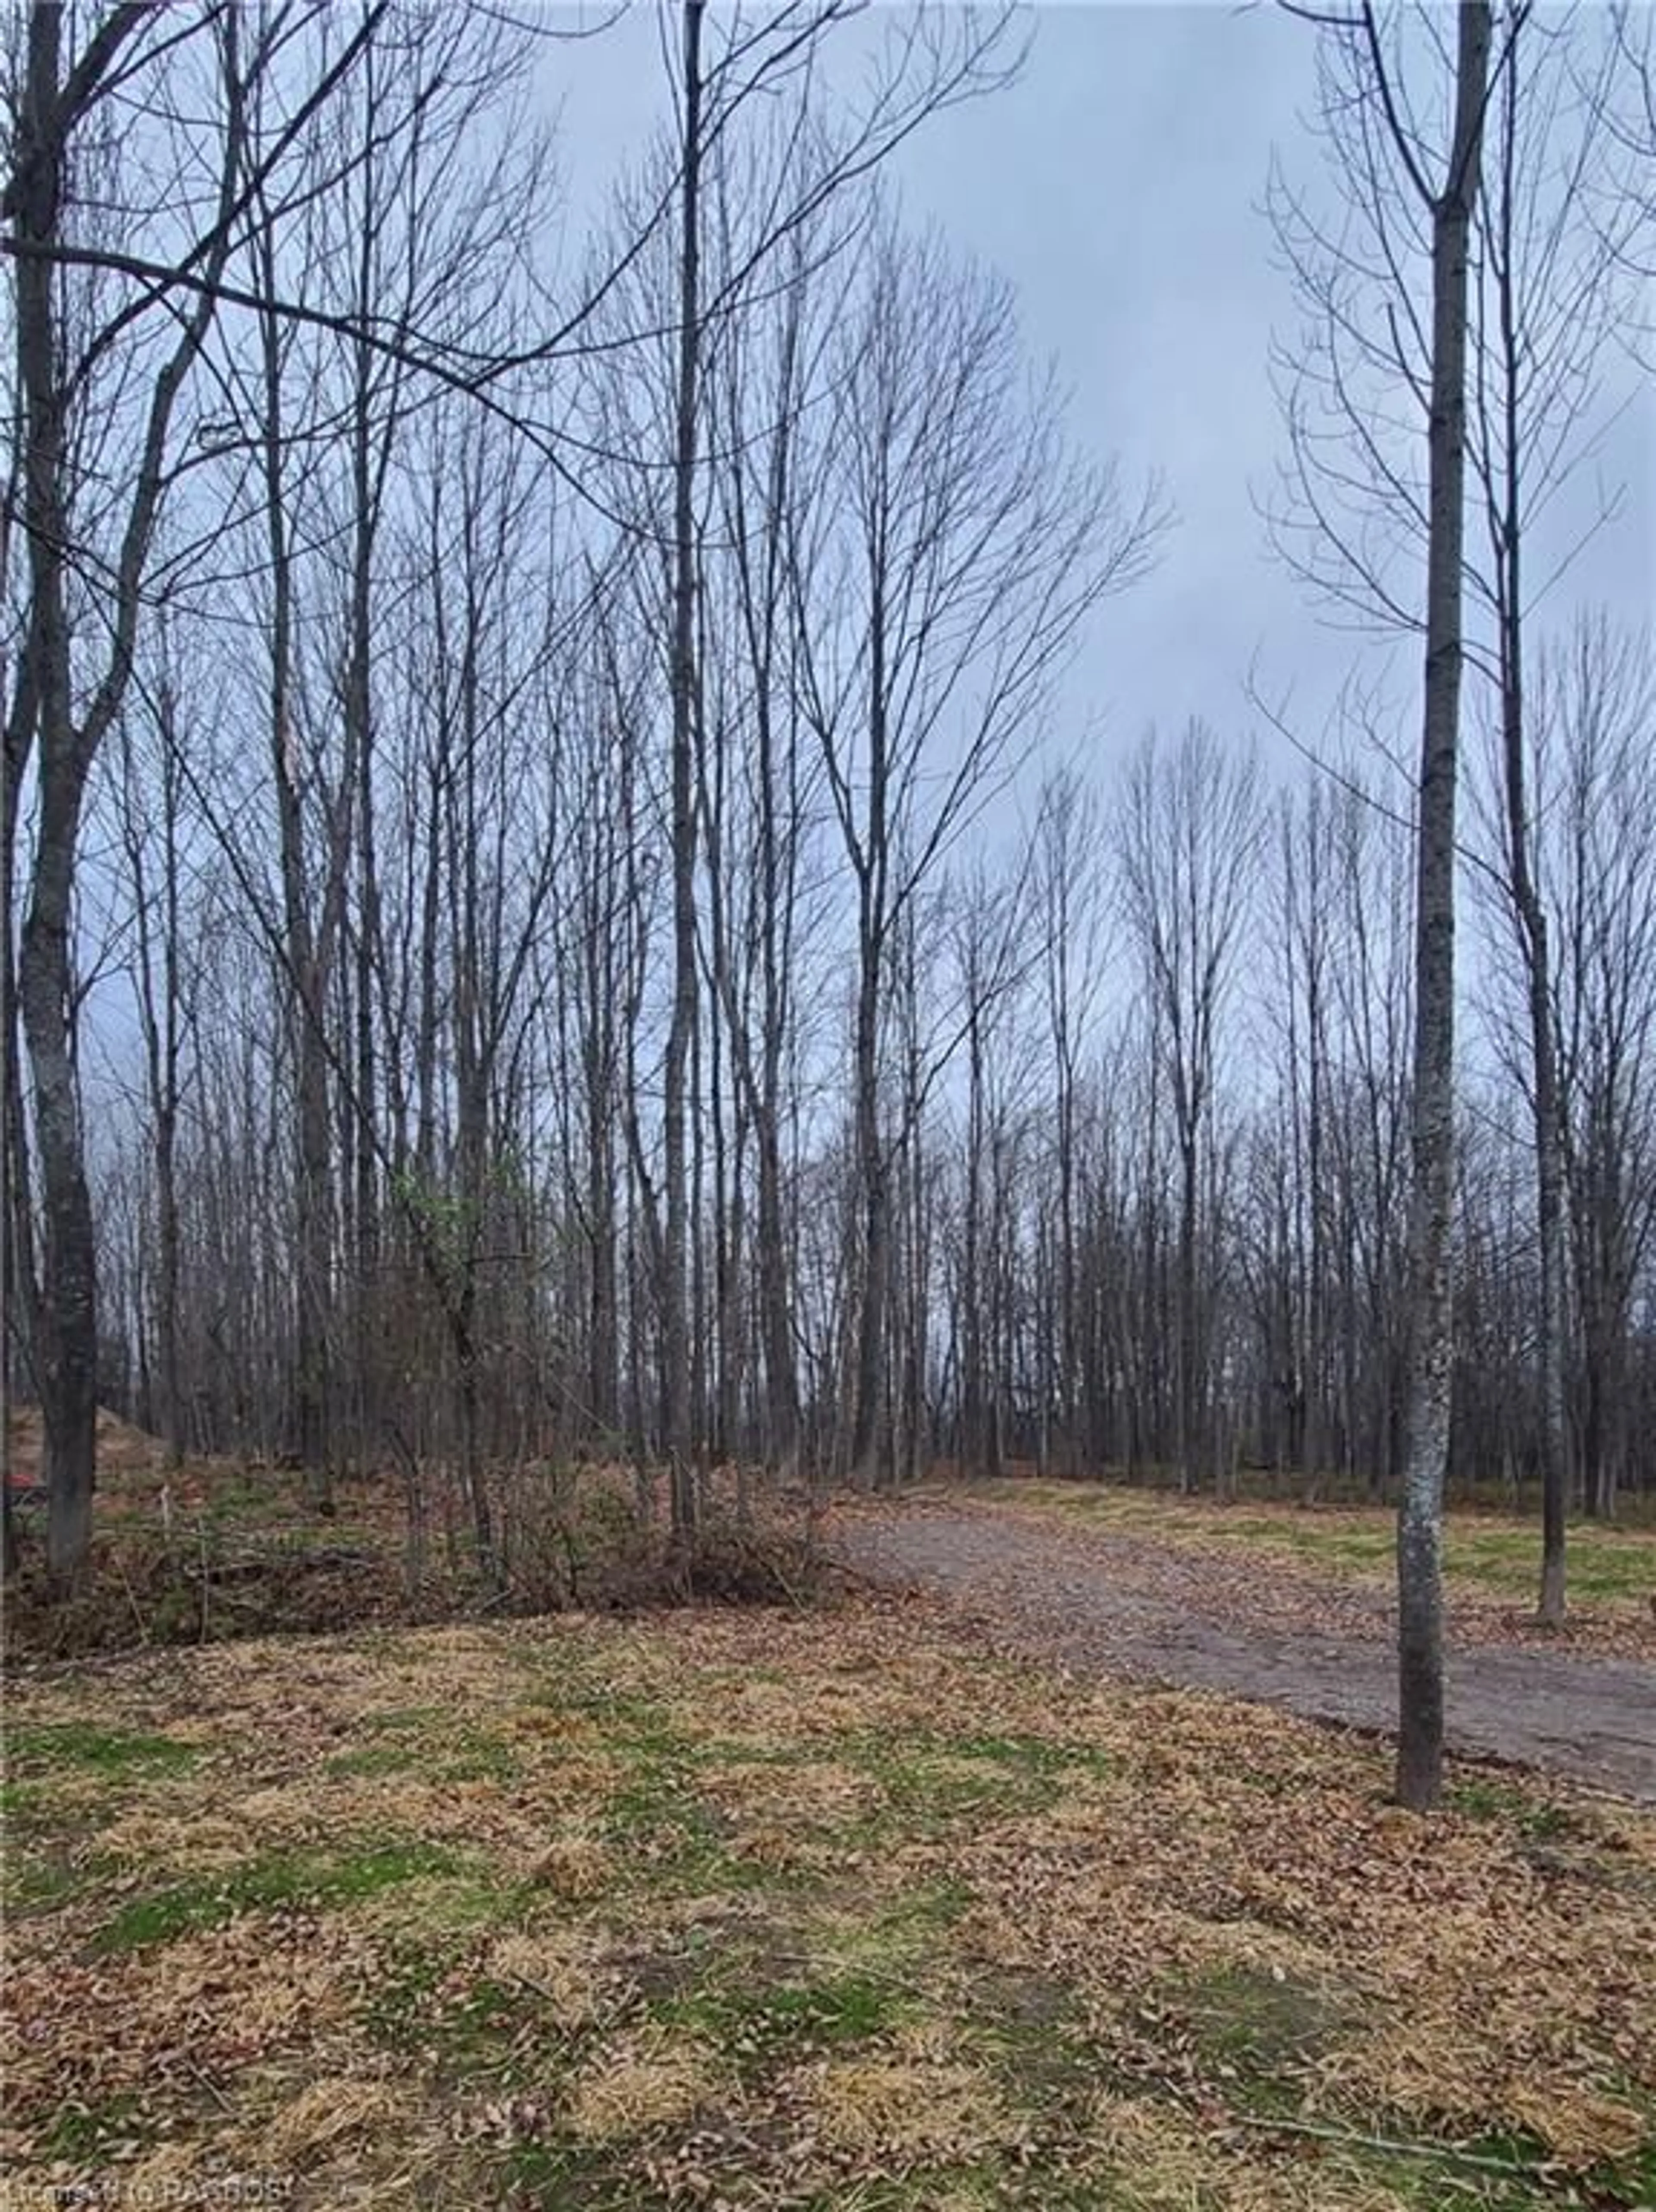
{"x":1098,"y":1600}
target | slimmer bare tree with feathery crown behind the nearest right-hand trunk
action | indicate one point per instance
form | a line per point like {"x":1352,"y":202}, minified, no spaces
{"x":1549,"y":298}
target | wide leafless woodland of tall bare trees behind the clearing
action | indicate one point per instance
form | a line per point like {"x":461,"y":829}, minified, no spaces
{"x":549,"y":897}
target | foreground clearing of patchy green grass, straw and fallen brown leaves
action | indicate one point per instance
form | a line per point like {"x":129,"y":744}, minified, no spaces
{"x":828,"y":1908}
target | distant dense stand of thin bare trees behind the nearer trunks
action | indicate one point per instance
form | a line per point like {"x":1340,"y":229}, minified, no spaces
{"x":1054,"y":1251}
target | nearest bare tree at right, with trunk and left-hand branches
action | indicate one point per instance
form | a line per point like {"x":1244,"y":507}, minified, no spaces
{"x":1345,"y":525}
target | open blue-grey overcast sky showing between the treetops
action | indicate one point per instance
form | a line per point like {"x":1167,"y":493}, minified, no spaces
{"x":1118,"y":185}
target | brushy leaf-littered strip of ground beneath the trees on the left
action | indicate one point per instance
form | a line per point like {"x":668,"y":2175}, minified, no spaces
{"x":220,"y":1550}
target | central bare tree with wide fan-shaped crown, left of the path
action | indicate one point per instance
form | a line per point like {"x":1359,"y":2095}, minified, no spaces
{"x":943,"y":570}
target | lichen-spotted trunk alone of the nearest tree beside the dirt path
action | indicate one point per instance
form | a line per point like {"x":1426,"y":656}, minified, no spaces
{"x":1432,"y":1353}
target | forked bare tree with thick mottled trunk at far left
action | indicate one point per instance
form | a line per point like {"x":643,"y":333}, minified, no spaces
{"x":59,"y":711}
